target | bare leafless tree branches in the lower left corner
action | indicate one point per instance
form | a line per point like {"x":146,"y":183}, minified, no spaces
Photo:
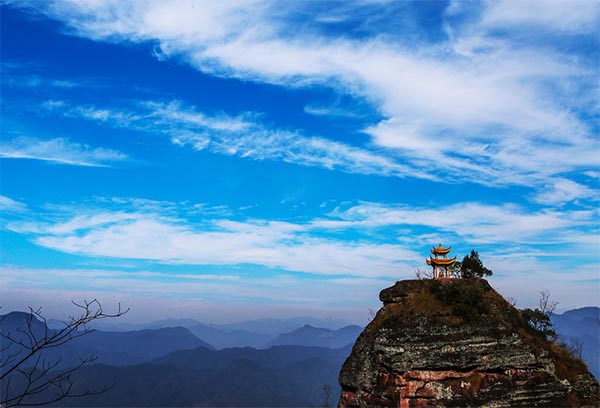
{"x":27,"y":377}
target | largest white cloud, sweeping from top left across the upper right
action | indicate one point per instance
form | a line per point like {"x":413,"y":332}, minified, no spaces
{"x":457,"y":109}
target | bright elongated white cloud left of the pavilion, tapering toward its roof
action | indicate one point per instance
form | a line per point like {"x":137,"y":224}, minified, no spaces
{"x":148,"y":235}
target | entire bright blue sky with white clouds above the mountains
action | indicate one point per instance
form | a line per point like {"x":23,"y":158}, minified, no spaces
{"x":232,"y":160}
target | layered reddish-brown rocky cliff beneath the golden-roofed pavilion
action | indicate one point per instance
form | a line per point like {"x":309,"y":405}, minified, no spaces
{"x":458,"y":343}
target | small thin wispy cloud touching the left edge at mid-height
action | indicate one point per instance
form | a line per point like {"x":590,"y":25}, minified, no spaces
{"x":59,"y":151}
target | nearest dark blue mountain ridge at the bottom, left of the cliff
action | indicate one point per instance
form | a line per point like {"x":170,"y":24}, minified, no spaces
{"x":289,"y":376}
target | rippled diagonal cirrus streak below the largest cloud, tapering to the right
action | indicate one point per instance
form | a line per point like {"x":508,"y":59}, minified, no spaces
{"x":243,"y":135}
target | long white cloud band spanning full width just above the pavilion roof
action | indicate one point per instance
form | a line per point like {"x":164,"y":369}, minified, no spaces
{"x":183,"y":234}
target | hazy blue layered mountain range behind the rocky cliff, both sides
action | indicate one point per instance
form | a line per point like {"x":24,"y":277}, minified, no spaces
{"x":179,"y":366}
